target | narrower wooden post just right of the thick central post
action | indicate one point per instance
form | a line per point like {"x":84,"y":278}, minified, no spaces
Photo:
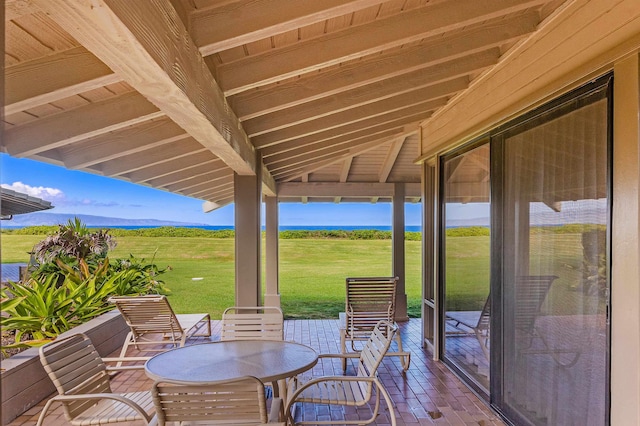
{"x":272,"y":293}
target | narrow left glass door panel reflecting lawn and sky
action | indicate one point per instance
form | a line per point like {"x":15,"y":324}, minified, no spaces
{"x":466,"y":264}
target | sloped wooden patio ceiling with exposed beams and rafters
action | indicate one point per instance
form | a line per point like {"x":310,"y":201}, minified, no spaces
{"x":323,"y":97}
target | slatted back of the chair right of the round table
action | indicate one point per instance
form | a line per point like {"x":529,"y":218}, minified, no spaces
{"x":374,"y":351}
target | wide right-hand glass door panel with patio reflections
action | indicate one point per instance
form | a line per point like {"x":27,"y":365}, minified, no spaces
{"x":554,"y":283}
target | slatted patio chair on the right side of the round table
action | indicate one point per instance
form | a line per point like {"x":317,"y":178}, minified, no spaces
{"x":355,"y":391}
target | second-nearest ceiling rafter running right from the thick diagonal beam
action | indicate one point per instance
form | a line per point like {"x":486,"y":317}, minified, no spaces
{"x":357,"y":41}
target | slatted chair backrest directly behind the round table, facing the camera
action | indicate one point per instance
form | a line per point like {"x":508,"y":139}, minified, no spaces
{"x":252,"y":323}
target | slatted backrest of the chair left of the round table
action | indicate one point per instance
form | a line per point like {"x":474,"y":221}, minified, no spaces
{"x":75,"y":368}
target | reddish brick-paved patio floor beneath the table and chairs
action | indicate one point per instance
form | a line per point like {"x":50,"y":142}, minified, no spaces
{"x":428,"y":394}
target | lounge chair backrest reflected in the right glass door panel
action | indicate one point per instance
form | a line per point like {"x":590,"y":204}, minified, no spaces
{"x":531,"y":292}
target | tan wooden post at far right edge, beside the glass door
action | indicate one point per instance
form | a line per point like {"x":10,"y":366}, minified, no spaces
{"x":625,"y":250}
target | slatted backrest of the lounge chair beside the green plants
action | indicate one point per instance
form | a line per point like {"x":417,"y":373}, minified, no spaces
{"x":148,"y":314}
